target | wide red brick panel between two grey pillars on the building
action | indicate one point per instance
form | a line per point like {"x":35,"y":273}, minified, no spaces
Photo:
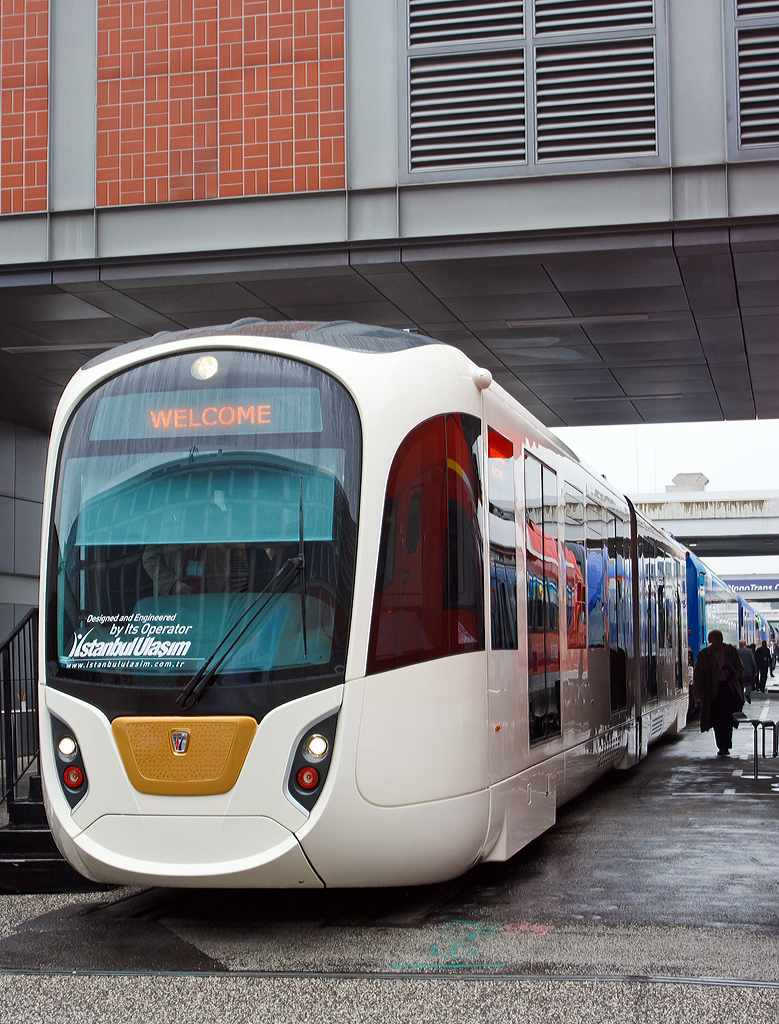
{"x":213,"y":99}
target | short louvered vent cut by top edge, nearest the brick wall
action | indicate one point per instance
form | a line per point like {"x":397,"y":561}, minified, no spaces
{"x":432,"y":22}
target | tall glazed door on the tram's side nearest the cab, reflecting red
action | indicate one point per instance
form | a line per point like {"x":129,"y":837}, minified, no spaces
{"x":543,"y":601}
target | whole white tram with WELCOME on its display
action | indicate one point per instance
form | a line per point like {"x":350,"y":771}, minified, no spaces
{"x":322,"y":606}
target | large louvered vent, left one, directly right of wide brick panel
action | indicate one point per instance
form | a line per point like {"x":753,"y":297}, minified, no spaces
{"x":467,"y":111}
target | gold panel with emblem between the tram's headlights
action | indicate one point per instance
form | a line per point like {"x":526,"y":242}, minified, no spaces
{"x":214,"y":754}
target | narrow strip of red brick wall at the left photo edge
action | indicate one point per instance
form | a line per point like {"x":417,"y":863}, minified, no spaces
{"x":24,"y":105}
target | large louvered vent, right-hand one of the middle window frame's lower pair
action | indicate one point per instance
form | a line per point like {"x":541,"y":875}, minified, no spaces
{"x":596,"y":101}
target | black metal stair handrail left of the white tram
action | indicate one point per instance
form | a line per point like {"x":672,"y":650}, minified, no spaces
{"x":19,"y":684}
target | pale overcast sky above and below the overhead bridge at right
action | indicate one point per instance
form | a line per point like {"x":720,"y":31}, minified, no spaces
{"x":742,"y":455}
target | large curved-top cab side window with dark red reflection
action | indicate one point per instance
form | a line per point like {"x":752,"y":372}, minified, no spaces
{"x":429,"y":599}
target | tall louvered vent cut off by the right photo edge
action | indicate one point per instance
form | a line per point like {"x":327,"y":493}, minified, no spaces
{"x":759,"y":87}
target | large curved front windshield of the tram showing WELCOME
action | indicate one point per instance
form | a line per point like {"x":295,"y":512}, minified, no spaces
{"x":180,"y":499}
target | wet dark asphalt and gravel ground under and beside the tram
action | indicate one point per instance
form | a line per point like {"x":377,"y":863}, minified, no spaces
{"x":654,"y":899}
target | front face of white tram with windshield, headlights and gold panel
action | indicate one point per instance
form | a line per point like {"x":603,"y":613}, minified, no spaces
{"x":197,"y":594}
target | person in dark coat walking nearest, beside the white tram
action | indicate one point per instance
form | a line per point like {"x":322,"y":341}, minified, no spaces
{"x":717,"y":682}
